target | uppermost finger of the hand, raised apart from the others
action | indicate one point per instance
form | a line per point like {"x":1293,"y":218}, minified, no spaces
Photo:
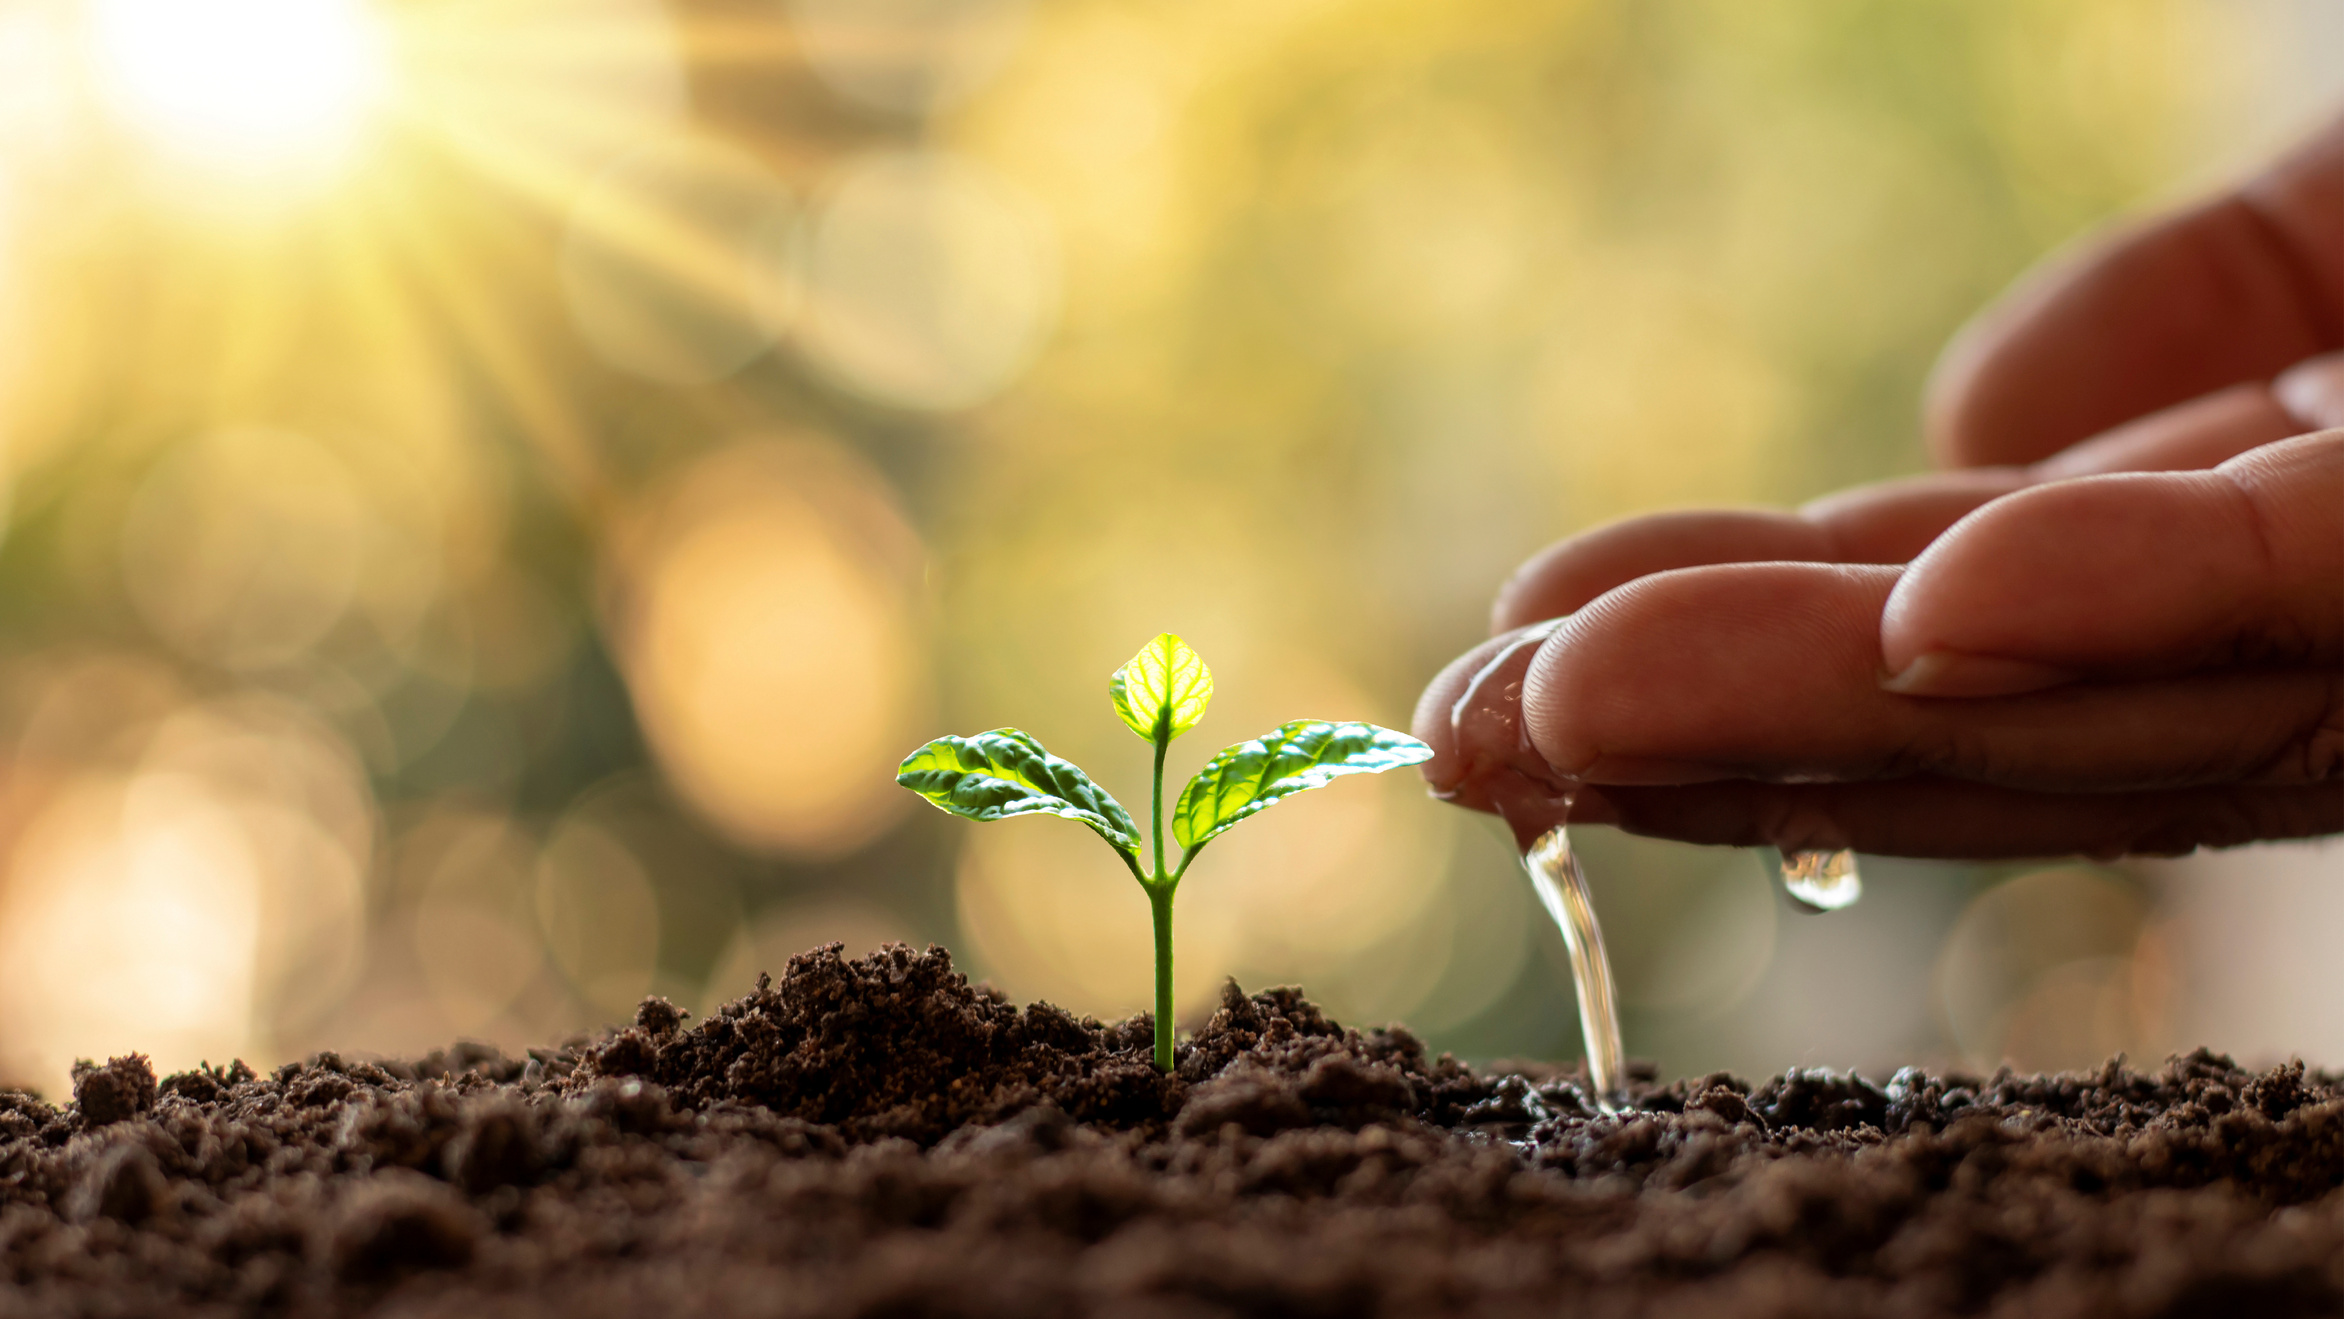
{"x":2226,"y":294}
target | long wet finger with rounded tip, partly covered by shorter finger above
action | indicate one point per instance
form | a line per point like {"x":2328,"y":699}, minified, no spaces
{"x":1773,"y":671}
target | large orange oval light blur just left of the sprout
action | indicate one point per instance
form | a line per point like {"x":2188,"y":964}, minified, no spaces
{"x":772,"y":645}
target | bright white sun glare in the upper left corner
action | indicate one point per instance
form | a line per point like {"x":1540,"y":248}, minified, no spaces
{"x":247,"y":86}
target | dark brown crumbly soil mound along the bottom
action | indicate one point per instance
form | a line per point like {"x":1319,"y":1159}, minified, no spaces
{"x":878,"y":1137}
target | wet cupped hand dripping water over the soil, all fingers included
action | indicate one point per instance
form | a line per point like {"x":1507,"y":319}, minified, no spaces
{"x":2118,"y":627}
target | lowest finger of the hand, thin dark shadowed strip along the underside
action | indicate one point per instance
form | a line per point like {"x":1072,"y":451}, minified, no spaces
{"x":1949,"y":819}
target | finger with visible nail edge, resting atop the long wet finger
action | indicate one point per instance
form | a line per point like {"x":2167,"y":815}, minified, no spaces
{"x":2132,"y":575}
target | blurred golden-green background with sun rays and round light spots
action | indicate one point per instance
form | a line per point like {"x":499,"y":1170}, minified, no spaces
{"x":496,"y":486}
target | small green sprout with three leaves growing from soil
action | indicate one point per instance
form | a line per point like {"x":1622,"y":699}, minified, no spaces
{"x":1159,"y":695}
